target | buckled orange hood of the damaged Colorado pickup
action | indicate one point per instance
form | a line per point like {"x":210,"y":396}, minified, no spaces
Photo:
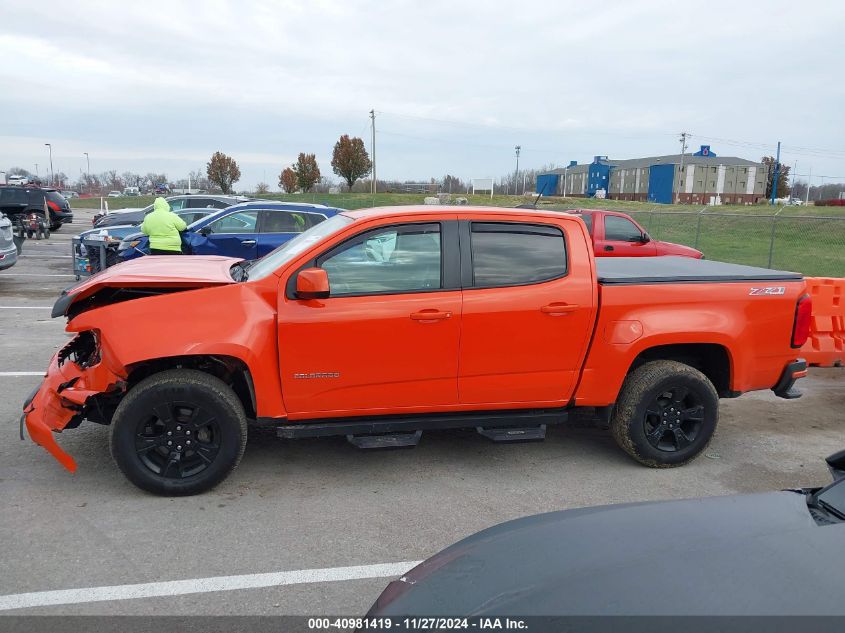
{"x":150,"y":273}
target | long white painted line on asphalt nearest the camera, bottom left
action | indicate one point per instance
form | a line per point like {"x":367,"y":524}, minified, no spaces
{"x":201,"y":585}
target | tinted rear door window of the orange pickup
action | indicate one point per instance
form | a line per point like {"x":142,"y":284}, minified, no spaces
{"x":511,"y":254}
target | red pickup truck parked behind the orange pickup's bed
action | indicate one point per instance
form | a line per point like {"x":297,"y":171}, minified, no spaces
{"x":616,"y":234}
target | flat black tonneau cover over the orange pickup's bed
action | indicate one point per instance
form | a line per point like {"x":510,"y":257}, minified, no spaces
{"x":663,"y":270}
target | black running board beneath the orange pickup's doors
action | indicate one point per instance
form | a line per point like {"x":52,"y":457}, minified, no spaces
{"x":519,"y":420}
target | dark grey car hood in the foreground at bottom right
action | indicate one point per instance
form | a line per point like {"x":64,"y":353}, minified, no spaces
{"x":743,"y":555}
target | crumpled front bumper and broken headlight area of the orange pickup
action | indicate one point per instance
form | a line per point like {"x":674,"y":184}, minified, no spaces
{"x":76,"y":373}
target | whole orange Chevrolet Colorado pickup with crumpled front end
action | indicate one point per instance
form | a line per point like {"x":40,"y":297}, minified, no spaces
{"x":382,"y":323}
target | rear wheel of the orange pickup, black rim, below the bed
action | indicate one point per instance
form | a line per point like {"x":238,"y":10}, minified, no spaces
{"x":666,"y":414}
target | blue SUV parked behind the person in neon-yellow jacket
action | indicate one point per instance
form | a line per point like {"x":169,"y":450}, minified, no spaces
{"x":246,"y":231}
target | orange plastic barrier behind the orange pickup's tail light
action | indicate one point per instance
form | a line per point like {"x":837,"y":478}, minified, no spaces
{"x":826,"y":345}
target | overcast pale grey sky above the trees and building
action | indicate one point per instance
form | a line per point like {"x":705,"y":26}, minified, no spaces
{"x":159,"y":86}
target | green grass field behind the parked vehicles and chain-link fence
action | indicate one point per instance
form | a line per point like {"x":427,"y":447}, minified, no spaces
{"x":805,"y":240}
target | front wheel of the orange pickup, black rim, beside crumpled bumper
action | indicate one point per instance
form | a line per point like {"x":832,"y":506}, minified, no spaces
{"x":179,"y":432}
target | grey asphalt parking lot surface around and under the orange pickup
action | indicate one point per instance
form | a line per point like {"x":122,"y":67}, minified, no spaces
{"x":294,"y":506}
